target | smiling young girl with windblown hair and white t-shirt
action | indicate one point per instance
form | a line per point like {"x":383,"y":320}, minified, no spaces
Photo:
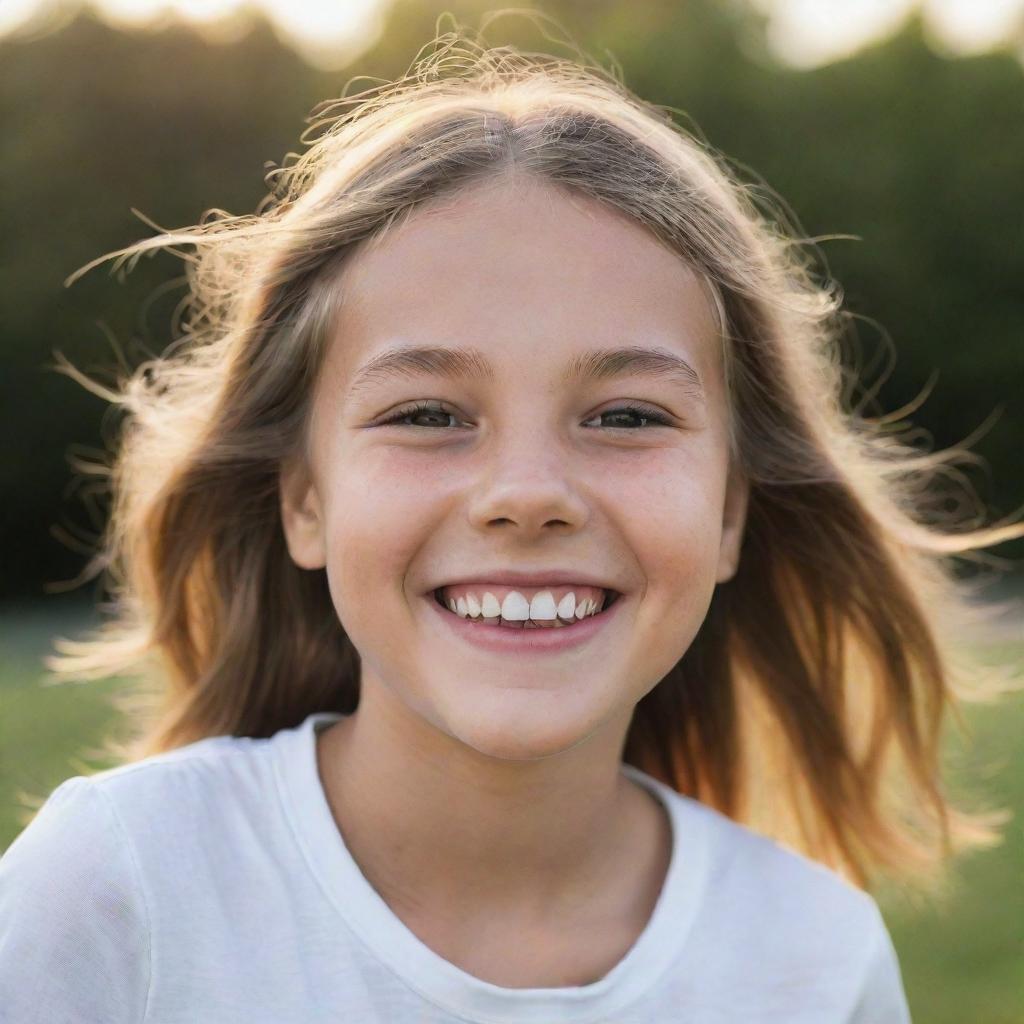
{"x":505,"y":353}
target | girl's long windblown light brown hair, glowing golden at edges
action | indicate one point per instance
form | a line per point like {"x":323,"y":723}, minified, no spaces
{"x":809,"y":707}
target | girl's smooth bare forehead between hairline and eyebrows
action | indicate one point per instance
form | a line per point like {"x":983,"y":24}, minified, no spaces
{"x":525,"y":271}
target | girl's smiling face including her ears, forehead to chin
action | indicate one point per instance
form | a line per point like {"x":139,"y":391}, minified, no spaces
{"x":523,"y":463}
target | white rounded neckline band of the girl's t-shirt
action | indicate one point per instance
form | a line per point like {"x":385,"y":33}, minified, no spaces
{"x":442,"y":983}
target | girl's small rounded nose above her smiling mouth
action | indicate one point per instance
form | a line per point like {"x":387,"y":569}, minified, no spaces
{"x":528,"y":482}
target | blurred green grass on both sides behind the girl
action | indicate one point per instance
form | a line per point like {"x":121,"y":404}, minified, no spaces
{"x":964,"y":965}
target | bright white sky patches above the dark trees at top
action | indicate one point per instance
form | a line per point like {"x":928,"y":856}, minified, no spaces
{"x":330,"y":33}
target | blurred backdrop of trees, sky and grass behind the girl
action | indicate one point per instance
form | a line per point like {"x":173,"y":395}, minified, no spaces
{"x":893,"y":132}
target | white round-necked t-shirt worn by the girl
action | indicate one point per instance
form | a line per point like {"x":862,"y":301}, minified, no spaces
{"x":210,"y":885}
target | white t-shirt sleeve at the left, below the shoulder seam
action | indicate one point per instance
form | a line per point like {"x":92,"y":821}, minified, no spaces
{"x":74,"y":926}
